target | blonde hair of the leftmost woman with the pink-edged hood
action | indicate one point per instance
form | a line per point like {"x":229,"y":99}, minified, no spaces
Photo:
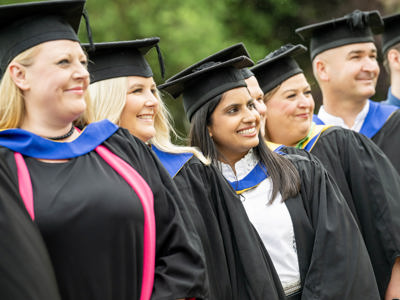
{"x":12,"y":106}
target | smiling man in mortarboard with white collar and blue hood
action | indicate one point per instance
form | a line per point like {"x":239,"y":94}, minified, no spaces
{"x":344,"y":59}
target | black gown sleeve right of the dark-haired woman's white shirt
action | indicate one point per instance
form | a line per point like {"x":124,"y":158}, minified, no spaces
{"x":333,"y":260}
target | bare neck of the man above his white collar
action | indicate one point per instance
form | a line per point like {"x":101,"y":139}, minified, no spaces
{"x":345,"y":108}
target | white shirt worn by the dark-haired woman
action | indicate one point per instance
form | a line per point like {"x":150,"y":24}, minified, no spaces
{"x":272,"y":221}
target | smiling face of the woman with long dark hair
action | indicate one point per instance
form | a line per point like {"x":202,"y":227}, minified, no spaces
{"x":235,"y":124}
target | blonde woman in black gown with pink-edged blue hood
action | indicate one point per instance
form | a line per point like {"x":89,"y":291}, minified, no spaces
{"x":104,"y":206}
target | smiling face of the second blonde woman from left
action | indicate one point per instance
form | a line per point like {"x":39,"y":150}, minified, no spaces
{"x":140,"y":108}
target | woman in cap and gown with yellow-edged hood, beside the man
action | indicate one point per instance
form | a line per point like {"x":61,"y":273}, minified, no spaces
{"x":363,"y":173}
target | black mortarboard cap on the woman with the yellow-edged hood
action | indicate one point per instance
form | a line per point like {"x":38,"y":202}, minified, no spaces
{"x":278,"y":66}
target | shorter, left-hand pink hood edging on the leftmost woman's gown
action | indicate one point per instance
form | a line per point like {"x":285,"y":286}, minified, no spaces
{"x":25,"y":184}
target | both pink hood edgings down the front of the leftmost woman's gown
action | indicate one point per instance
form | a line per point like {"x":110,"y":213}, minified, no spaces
{"x":141,"y":188}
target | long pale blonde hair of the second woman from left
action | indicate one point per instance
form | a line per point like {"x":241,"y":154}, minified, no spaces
{"x":108,"y":101}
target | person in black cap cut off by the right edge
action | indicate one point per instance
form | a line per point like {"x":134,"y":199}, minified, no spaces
{"x":391,"y":56}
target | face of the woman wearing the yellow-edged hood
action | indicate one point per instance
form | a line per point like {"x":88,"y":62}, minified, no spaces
{"x":289,"y":111}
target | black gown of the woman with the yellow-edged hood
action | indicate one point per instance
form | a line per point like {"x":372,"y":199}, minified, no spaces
{"x":371,"y":187}
